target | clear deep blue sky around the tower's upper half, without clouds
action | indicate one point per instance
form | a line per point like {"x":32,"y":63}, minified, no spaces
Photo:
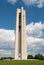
{"x":8,"y":13}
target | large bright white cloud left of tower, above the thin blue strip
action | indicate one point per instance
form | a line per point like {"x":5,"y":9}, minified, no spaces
{"x":7,"y":38}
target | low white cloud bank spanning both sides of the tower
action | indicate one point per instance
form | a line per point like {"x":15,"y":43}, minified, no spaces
{"x":35,"y":40}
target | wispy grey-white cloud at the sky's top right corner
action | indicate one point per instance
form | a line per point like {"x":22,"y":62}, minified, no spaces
{"x":38,"y":3}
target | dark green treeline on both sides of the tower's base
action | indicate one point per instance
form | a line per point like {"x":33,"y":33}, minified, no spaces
{"x":37,"y":56}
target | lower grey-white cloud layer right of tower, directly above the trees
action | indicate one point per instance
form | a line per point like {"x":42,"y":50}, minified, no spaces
{"x":35,"y":45}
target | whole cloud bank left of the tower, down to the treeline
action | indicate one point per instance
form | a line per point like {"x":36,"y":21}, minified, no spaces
{"x":7,"y":40}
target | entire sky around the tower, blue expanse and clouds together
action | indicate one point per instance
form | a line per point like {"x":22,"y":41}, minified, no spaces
{"x":34,"y":25}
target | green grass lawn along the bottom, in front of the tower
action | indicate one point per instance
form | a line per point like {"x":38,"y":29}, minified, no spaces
{"x":21,"y":62}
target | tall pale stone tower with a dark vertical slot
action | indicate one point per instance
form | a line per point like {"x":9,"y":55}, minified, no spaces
{"x":20,"y":43}
